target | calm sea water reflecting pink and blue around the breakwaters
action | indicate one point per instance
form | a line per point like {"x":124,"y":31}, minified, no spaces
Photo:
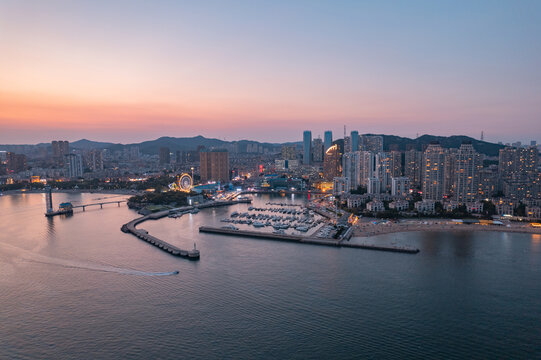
{"x":78,"y":288}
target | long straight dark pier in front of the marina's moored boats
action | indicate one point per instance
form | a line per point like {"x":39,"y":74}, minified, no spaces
{"x":303,"y":240}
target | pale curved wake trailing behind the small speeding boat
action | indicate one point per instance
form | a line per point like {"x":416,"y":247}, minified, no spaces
{"x":76,"y":264}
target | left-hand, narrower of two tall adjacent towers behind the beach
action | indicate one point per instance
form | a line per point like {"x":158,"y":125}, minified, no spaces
{"x":433,"y":171}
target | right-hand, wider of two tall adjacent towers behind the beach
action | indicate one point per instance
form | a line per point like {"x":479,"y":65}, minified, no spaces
{"x":468,"y":166}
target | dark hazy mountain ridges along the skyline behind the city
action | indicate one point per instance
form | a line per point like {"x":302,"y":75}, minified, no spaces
{"x":390,"y":142}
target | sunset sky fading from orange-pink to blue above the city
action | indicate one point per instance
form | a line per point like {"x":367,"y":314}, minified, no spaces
{"x":127,"y":71}
